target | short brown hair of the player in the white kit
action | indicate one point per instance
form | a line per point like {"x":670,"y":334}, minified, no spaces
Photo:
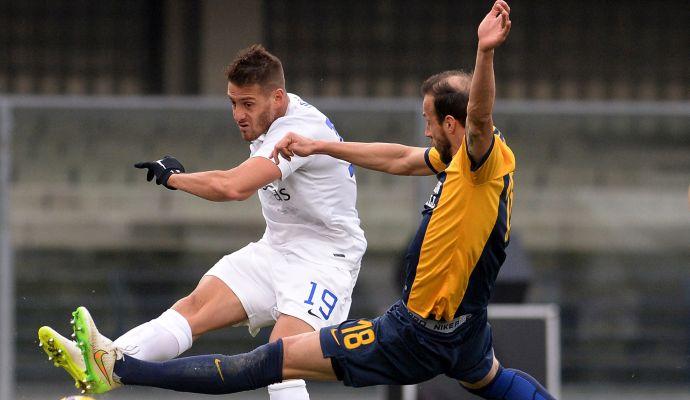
{"x":255,"y":65}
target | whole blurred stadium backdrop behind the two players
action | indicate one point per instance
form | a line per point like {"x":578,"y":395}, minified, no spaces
{"x":592,"y":96}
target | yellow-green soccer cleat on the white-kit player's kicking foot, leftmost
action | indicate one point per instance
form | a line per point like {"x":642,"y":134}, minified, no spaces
{"x":63,"y":353}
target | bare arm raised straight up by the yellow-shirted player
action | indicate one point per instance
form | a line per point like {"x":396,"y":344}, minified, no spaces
{"x":492,"y":32}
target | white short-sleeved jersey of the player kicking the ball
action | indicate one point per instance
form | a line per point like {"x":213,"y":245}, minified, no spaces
{"x":311,"y":210}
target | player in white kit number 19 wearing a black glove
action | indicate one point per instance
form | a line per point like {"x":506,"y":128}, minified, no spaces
{"x":299,"y":276}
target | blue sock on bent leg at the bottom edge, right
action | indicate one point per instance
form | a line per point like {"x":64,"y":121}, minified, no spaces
{"x":512,"y":384}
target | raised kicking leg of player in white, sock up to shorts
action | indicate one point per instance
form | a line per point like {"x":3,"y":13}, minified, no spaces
{"x":237,"y":285}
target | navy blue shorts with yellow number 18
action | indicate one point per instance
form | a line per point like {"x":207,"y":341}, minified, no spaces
{"x":394,"y":349}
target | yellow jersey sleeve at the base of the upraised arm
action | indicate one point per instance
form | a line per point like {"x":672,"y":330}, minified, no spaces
{"x":496,"y":163}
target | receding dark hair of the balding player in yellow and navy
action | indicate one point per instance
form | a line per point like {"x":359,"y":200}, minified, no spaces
{"x":451,"y":92}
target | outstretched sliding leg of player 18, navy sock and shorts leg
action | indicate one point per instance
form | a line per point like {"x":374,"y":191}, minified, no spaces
{"x":293,"y":357}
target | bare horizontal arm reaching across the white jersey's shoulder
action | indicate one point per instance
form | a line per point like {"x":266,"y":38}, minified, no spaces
{"x":393,"y":158}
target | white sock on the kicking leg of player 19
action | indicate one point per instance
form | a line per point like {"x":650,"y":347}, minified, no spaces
{"x":160,"y":339}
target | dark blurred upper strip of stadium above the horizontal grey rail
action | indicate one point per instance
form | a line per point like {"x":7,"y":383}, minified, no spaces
{"x":565,"y":50}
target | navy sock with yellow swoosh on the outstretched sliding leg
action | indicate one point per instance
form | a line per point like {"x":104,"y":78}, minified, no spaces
{"x":209,"y":374}
